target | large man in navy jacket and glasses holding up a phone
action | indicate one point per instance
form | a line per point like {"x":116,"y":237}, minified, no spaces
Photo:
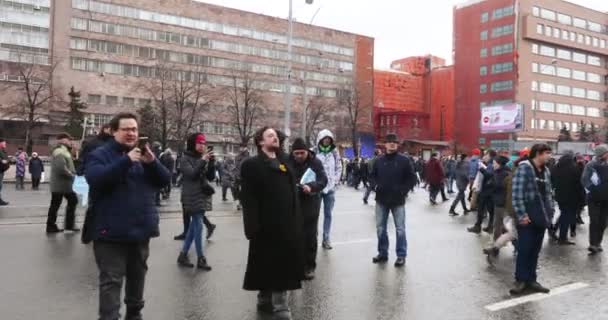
{"x":123,"y":180}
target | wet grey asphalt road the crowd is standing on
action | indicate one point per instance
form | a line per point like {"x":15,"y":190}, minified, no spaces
{"x":446,"y":276}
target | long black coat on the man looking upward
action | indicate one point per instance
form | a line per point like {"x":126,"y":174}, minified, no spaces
{"x":273,"y":225}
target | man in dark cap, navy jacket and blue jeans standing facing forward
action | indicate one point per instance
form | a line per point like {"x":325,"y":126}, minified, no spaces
{"x":393,"y":177}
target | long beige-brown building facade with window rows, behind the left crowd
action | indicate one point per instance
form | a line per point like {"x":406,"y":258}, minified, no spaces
{"x":113,"y":52}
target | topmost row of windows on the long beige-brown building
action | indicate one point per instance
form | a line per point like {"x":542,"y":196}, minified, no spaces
{"x":135,"y":13}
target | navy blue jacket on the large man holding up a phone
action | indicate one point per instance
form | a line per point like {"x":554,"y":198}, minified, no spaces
{"x":123,"y":194}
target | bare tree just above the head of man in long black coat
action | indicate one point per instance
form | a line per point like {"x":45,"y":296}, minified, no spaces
{"x":246,"y":105}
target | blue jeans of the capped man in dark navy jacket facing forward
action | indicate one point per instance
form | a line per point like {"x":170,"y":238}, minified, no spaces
{"x":382,"y":213}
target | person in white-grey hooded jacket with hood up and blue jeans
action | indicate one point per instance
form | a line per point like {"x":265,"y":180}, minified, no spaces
{"x":328,"y":154}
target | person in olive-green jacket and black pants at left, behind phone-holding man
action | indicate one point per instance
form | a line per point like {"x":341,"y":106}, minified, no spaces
{"x":63,"y":173}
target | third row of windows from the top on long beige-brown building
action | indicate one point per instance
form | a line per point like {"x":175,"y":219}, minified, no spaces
{"x":187,"y":58}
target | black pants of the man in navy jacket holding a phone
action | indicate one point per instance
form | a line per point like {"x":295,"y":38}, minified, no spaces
{"x":115,"y":261}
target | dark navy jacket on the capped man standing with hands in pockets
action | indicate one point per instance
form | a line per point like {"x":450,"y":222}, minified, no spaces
{"x":394,"y":177}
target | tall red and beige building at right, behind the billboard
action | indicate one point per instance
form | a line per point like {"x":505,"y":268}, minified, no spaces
{"x":549,"y":56}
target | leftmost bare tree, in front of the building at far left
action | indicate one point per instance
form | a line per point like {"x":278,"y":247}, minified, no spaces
{"x":36,"y":95}
